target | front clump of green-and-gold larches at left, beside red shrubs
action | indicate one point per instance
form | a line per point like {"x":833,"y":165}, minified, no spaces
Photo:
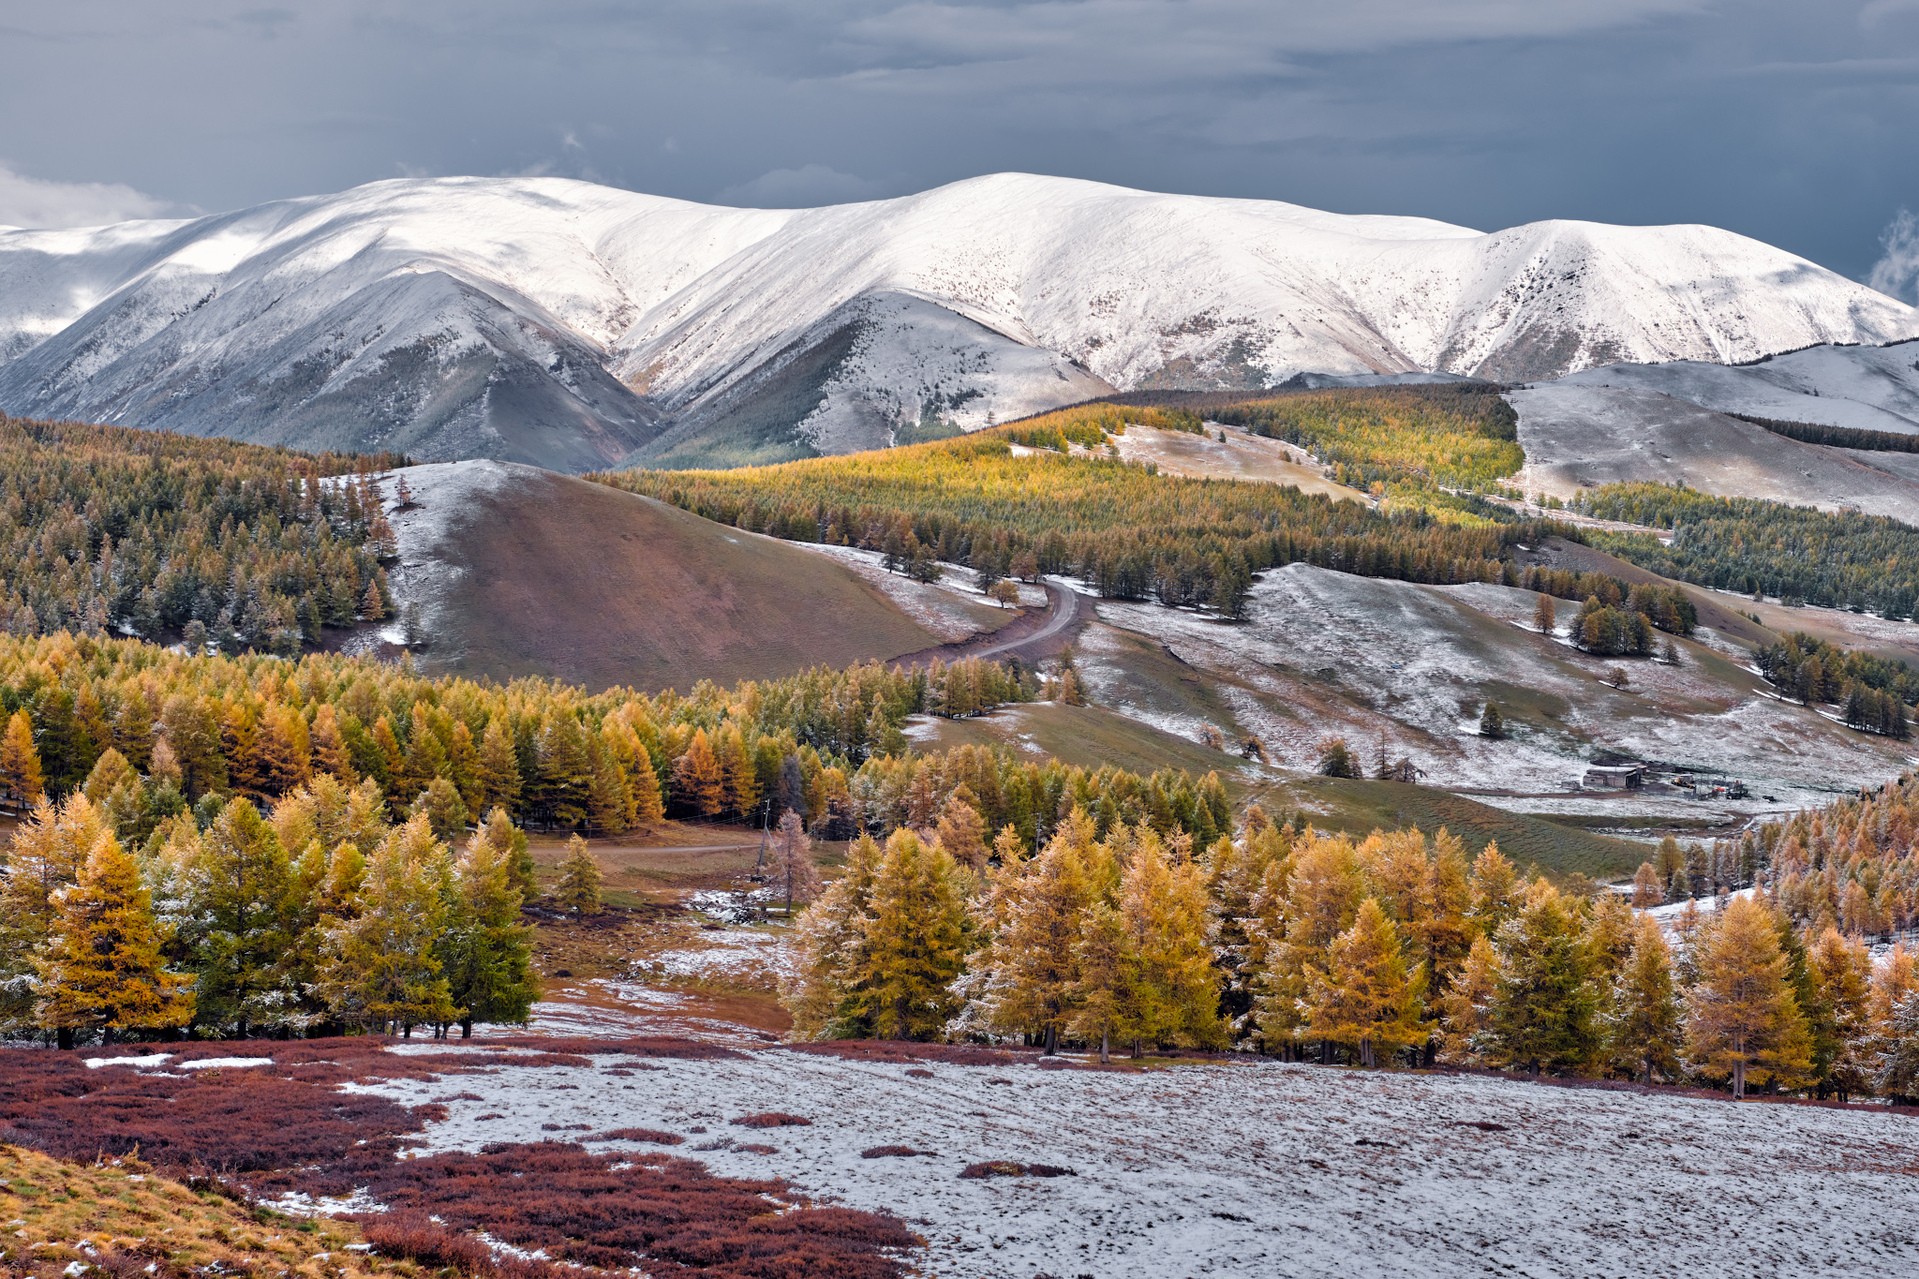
{"x":316,"y":917}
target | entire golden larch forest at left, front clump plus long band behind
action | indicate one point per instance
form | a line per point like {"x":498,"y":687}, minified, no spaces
{"x":250,"y":846}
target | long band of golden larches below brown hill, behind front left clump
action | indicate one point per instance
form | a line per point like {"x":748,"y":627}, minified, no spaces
{"x":183,"y":733}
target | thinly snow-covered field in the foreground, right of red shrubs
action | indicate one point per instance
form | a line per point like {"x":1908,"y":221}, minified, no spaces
{"x":1260,"y":1169}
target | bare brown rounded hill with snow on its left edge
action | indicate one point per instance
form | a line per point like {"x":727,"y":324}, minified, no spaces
{"x":519,"y":571}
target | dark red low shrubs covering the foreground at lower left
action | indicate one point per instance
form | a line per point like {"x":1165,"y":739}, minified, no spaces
{"x":287,"y":1126}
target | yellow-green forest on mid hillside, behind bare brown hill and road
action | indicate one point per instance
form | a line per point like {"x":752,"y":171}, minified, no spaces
{"x":1007,"y":508}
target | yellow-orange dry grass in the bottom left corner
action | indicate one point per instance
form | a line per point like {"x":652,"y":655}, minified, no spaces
{"x":122,"y":1219}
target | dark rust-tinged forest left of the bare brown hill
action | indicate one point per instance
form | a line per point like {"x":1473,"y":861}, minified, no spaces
{"x":118,"y":531}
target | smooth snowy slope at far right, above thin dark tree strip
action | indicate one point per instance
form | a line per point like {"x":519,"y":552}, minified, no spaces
{"x":1860,"y":387}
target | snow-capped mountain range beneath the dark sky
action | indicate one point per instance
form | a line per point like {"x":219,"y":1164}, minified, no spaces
{"x":577,"y":326}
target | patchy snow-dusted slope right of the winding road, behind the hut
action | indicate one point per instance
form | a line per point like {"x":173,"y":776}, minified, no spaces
{"x":1363,"y":658}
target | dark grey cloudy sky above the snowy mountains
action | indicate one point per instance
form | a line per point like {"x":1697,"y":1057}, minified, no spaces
{"x":1786,"y":120}
